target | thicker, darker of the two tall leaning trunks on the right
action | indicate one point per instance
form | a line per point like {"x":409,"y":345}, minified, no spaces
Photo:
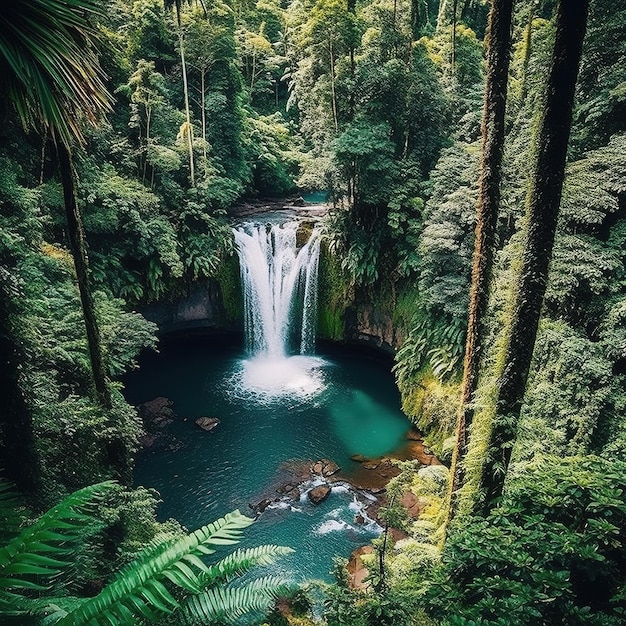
{"x":543,"y":200}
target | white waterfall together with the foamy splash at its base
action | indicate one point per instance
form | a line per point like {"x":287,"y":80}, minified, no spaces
{"x":280,"y":302}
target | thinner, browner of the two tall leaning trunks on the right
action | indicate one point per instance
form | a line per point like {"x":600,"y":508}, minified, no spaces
{"x":498,"y":56}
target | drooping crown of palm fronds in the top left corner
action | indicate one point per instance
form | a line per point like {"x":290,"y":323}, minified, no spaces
{"x":50,"y":66}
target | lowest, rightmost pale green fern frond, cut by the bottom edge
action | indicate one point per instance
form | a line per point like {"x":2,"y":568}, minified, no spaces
{"x":226,"y":604}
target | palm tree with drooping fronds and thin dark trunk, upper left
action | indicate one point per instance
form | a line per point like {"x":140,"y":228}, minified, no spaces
{"x":51,"y":75}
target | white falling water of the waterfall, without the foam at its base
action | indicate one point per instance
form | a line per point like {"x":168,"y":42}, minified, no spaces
{"x":279,"y":288}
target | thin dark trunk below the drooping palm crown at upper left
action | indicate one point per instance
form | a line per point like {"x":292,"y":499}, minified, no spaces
{"x":76,"y":235}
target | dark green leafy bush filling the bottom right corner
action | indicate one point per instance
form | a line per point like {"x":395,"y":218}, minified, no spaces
{"x":554,"y":552}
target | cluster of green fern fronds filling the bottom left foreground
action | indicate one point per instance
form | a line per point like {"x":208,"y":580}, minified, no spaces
{"x":170,"y":574}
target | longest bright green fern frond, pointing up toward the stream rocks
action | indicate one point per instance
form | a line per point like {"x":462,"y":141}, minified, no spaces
{"x":139,"y":590}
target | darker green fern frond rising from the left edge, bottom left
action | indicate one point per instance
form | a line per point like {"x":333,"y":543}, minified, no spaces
{"x":37,"y":554}
